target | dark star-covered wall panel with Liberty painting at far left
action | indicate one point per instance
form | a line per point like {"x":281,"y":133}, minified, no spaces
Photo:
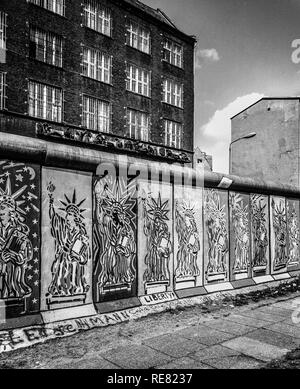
{"x":19,"y":236}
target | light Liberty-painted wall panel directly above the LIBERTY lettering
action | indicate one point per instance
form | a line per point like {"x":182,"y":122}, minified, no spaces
{"x":155,"y":238}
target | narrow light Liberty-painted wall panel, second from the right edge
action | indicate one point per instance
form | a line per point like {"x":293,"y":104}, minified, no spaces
{"x":279,"y":235}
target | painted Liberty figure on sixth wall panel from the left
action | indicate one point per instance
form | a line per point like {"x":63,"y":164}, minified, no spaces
{"x":217,"y":234}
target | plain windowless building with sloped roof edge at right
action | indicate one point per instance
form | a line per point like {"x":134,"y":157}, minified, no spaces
{"x":273,"y":153}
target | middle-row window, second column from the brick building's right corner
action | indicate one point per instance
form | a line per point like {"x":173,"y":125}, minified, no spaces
{"x":138,"y":80}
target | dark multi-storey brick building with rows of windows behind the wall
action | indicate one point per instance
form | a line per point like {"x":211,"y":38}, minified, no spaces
{"x":115,"y":67}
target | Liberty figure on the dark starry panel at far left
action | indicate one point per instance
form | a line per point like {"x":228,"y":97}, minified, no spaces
{"x":15,"y":247}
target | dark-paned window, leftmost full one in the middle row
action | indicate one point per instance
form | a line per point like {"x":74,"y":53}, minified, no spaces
{"x":46,"y":47}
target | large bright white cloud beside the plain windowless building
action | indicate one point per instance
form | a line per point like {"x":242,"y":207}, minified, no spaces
{"x":215,"y":136}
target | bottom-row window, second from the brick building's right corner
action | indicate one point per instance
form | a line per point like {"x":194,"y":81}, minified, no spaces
{"x":138,"y":124}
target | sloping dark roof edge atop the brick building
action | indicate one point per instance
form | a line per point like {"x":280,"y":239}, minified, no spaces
{"x":156,"y":15}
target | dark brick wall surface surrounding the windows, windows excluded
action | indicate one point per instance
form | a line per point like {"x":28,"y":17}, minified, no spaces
{"x":20,"y":68}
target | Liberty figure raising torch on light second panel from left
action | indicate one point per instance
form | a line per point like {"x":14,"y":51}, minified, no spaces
{"x":72,"y":251}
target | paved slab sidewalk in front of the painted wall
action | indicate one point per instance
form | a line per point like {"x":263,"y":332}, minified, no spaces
{"x":232,"y":338}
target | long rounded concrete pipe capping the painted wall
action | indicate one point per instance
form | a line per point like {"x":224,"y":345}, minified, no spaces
{"x":87,"y":159}
